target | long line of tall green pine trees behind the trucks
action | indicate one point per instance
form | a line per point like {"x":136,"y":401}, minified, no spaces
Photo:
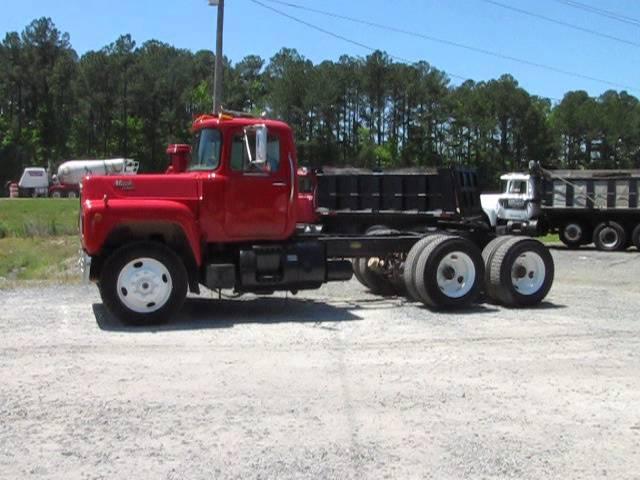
{"x":132,"y":100}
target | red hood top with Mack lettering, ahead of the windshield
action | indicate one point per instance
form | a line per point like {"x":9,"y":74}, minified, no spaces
{"x":160,"y":186}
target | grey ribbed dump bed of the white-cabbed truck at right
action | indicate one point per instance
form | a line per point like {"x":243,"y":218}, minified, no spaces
{"x":591,"y":189}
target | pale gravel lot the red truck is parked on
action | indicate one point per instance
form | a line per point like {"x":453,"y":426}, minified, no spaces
{"x":329,"y":384}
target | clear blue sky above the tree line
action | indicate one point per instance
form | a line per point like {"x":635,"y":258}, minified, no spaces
{"x":250,"y":29}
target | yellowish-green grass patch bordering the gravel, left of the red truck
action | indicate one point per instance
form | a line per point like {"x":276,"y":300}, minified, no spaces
{"x":38,"y":258}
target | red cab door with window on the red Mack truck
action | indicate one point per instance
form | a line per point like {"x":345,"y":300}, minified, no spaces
{"x":257,"y":196}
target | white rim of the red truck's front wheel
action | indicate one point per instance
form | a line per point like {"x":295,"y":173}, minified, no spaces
{"x":144,"y":285}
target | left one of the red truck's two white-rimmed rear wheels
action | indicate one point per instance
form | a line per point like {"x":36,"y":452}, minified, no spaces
{"x":449,"y":273}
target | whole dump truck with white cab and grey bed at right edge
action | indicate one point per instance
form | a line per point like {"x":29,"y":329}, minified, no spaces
{"x":581,"y":206}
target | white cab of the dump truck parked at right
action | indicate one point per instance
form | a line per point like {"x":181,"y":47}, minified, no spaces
{"x":517,"y":206}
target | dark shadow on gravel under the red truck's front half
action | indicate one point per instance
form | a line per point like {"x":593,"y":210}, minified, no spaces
{"x":204,"y":313}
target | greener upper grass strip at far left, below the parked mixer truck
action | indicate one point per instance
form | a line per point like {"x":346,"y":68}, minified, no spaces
{"x":38,"y":217}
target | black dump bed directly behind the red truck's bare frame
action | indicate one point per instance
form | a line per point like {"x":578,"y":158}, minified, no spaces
{"x":360,"y":198}
